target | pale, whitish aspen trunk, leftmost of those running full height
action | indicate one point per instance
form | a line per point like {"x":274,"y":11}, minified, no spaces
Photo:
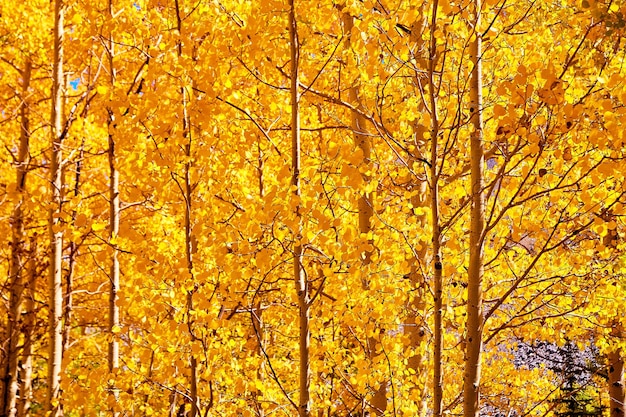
{"x":55,"y":298}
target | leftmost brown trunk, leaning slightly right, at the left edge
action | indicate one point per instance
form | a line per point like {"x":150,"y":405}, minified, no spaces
{"x":16,"y":268}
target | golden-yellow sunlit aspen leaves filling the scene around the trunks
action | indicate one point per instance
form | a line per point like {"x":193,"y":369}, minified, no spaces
{"x":554,"y":93}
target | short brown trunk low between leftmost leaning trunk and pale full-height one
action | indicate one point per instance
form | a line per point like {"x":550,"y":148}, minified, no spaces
{"x":26,"y":388}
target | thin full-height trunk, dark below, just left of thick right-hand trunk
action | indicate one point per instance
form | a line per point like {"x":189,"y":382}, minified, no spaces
{"x":436,"y":230}
